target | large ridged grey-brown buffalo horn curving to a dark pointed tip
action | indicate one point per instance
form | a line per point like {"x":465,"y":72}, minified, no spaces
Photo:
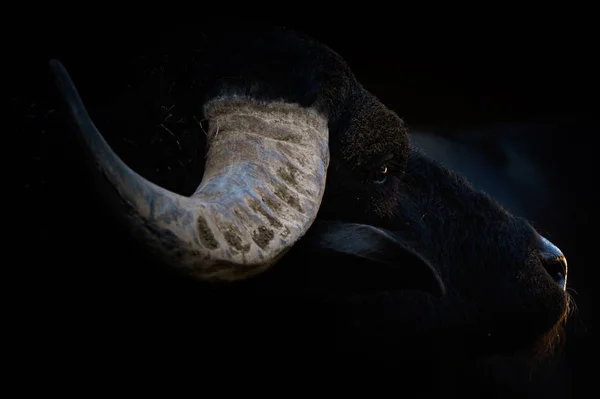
{"x":262,"y":187}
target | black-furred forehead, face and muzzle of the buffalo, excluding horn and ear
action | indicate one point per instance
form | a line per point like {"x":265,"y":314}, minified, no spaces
{"x":482,"y":253}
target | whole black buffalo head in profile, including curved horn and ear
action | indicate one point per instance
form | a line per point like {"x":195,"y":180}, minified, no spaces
{"x":394,"y":245}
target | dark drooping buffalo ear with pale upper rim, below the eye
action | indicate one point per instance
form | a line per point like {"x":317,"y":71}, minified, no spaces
{"x":358,"y":258}
